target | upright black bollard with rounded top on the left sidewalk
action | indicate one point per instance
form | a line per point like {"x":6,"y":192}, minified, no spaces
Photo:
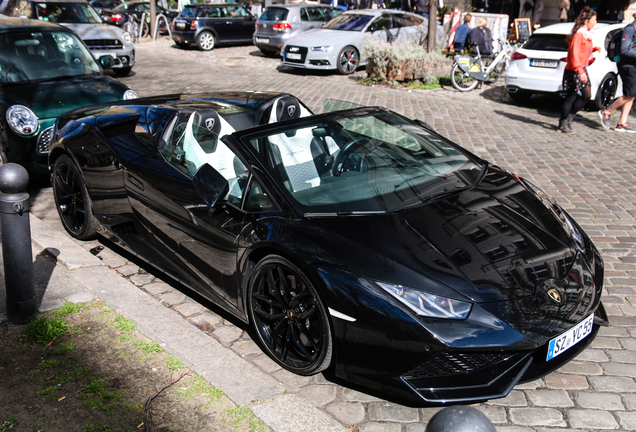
{"x":16,"y":244}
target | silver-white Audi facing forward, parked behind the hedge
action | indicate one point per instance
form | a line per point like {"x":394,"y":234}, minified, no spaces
{"x":339,"y":43}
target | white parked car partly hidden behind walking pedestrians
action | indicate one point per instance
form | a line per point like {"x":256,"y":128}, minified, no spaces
{"x":537,"y":67}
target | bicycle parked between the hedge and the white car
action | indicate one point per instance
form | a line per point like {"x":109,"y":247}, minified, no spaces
{"x":467,"y":71}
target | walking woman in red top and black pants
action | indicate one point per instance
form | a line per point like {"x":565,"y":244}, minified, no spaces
{"x":575,"y":77}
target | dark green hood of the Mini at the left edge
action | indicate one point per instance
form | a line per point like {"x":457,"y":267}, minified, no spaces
{"x":51,"y":99}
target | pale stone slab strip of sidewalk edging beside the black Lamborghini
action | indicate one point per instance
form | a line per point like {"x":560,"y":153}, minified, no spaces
{"x":66,"y":272}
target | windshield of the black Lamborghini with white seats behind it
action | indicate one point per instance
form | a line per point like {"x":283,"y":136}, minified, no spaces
{"x":362,"y":160}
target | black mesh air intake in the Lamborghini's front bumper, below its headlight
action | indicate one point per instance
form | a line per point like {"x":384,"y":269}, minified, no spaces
{"x":454,"y":363}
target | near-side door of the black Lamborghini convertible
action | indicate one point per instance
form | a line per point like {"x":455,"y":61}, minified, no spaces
{"x":201,"y":241}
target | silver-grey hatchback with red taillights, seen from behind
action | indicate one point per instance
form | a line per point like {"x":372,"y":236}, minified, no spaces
{"x":280,"y":22}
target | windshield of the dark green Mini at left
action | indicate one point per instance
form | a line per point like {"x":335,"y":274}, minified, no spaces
{"x":35,"y":56}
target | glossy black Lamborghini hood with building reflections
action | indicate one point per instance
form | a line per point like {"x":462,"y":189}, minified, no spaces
{"x":488,"y":243}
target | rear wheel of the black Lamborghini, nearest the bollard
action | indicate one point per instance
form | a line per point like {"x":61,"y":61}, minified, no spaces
{"x":72,"y":201}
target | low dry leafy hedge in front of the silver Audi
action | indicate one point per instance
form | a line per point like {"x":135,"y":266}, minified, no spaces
{"x":404,"y":62}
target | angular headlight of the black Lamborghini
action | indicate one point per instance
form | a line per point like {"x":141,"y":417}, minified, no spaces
{"x":428,"y":305}
